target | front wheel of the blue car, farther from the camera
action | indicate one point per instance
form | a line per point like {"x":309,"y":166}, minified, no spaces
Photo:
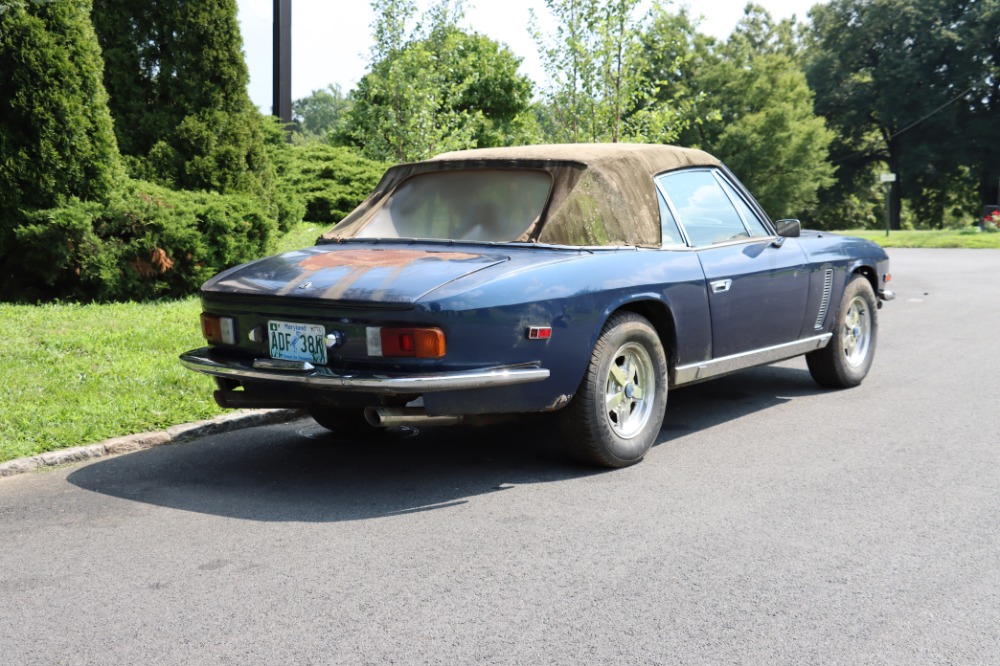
{"x":846,"y":360}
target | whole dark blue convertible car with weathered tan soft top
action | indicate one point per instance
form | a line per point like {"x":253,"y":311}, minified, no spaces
{"x":585,"y":280}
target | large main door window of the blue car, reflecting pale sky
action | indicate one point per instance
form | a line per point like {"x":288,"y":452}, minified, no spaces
{"x":705,"y":212}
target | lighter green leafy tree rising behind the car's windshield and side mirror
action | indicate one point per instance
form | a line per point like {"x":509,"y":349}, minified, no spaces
{"x":747,"y":101}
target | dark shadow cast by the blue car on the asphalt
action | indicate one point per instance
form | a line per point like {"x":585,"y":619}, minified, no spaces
{"x":301,"y":472}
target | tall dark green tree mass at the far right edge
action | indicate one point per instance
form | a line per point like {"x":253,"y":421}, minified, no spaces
{"x":911,"y":85}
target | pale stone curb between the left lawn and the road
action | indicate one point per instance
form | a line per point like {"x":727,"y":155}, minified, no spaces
{"x":128,"y":443}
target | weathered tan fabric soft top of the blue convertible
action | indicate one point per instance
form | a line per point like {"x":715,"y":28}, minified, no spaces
{"x":602,"y":194}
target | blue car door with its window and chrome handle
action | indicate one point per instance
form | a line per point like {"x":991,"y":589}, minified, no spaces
{"x":758,"y":283}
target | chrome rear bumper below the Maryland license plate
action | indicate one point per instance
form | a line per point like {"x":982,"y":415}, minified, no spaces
{"x":202,"y":360}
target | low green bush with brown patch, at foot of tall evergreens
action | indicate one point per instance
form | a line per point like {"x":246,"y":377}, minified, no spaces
{"x":148,"y":242}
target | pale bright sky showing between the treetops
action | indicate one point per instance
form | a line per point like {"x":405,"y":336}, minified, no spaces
{"x":331,"y":38}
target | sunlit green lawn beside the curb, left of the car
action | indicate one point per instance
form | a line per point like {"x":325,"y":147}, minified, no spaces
{"x":77,"y":374}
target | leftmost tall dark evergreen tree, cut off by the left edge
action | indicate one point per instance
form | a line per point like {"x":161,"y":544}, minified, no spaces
{"x":56,"y":138}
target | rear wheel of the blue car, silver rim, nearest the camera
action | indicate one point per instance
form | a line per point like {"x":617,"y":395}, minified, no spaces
{"x":617,"y":412}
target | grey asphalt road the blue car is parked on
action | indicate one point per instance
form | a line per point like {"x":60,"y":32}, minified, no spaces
{"x":773,"y":523}
